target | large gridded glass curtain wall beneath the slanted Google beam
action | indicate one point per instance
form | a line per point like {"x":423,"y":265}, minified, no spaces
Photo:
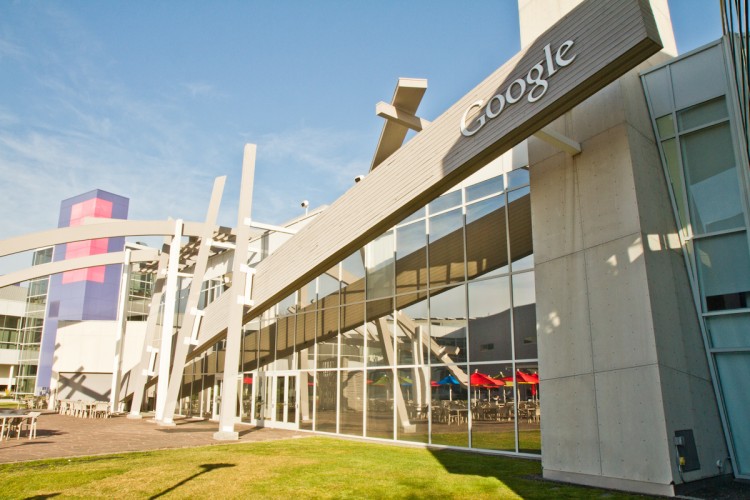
{"x":428,"y":334}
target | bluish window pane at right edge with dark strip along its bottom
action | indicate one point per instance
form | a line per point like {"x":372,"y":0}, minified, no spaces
{"x":724,"y":270}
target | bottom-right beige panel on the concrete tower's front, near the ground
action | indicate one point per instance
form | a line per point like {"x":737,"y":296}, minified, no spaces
{"x":632,"y":428}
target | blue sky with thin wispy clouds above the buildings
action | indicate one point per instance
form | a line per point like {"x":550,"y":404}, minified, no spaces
{"x":152,"y":100}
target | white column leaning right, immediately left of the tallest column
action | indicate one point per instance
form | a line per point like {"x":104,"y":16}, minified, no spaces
{"x":192,"y":318}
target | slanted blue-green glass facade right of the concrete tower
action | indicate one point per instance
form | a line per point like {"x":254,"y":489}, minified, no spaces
{"x":695,"y":118}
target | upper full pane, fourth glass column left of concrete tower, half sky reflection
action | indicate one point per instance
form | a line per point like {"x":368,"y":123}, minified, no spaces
{"x":411,"y":257}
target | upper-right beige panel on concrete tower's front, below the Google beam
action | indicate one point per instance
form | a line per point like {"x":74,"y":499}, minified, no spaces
{"x":607,"y":193}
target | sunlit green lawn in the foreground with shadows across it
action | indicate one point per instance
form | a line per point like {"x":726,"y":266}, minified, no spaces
{"x":315,"y":467}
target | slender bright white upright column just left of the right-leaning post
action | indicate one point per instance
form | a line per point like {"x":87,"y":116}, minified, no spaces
{"x":167,"y":324}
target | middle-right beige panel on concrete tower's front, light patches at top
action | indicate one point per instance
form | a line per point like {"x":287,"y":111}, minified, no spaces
{"x":620,"y":309}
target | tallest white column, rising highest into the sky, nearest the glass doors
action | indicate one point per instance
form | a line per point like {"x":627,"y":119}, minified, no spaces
{"x":238,"y":299}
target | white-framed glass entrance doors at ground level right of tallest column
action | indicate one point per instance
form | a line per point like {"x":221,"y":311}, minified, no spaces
{"x":276,"y":397}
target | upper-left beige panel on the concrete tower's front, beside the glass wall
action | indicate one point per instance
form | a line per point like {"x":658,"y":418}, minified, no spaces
{"x":555,"y":203}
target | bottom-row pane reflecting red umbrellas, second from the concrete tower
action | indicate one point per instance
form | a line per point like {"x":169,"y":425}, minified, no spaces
{"x":492,"y":407}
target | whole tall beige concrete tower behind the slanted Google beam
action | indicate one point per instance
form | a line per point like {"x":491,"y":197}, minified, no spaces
{"x":621,"y":358}
